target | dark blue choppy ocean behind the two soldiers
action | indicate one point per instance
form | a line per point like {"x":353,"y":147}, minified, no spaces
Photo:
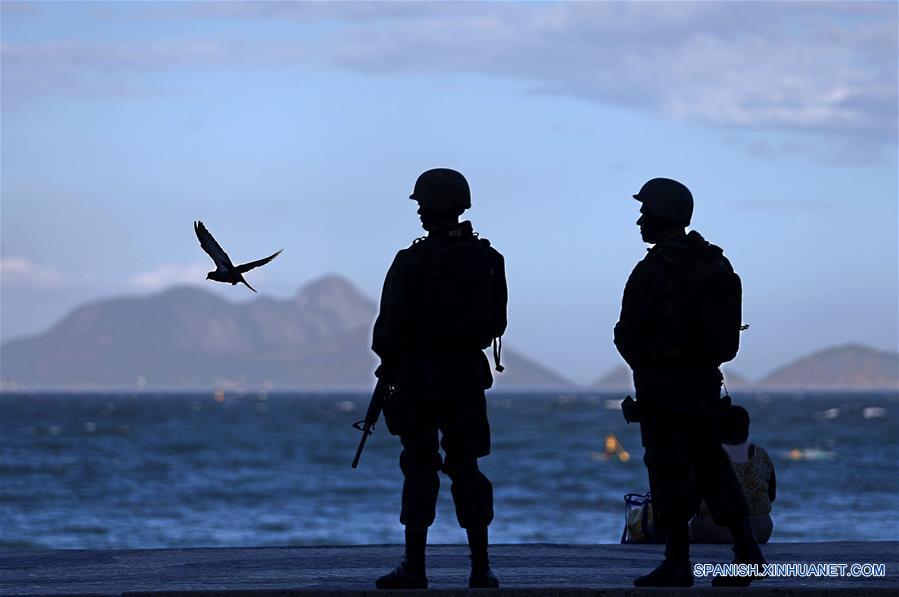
{"x":150,"y":470}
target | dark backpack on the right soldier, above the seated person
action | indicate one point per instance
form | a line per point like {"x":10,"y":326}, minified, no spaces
{"x":705,"y":305}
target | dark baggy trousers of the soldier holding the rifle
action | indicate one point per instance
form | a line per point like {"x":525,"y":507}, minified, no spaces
{"x":466,"y":437}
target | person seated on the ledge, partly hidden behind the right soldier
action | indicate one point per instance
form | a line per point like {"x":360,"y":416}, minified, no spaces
{"x":754,"y":469}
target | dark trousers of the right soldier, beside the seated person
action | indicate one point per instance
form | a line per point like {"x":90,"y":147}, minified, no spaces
{"x":686,"y":463}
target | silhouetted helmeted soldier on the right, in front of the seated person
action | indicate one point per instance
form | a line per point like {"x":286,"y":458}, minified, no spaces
{"x":680,"y":319}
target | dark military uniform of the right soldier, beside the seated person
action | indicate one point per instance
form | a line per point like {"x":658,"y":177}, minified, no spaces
{"x":678,"y":392}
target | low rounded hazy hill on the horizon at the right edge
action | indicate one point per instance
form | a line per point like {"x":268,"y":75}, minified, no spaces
{"x":847,"y":366}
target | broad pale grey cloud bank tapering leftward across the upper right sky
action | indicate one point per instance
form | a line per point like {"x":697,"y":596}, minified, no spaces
{"x":805,"y":68}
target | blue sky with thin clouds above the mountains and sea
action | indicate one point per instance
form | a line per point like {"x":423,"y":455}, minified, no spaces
{"x":303,"y":126}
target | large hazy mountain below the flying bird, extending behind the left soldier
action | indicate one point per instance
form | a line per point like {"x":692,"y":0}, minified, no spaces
{"x":187,"y":337}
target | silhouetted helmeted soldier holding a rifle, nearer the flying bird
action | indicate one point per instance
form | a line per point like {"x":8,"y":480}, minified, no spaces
{"x":444,"y":301}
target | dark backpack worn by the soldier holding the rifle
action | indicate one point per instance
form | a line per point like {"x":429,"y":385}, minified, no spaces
{"x":463,"y":292}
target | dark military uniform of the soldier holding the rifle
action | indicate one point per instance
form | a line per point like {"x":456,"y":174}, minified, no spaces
{"x":440,"y":387}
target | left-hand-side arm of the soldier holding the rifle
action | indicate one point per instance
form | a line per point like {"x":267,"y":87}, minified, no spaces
{"x":392,"y":324}
